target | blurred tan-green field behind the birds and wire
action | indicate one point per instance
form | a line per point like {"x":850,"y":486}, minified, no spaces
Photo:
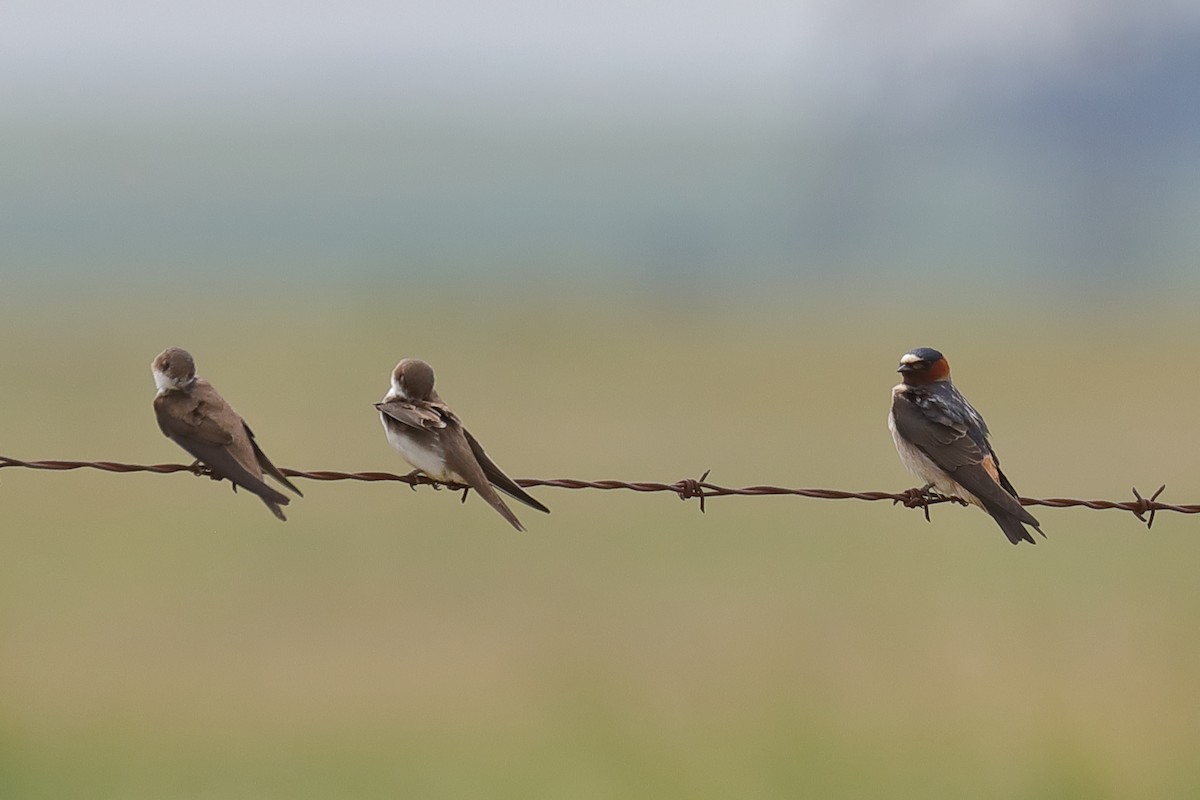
{"x":161,"y":637}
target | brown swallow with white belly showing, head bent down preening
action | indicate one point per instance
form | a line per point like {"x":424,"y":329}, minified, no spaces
{"x":431,"y":438}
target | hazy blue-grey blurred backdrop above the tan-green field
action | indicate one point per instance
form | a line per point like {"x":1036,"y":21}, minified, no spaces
{"x":748,"y":139}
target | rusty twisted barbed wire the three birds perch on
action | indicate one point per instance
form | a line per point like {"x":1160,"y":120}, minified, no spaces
{"x":688,"y":489}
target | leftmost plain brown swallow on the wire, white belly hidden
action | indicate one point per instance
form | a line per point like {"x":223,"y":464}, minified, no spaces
{"x":195,"y":417}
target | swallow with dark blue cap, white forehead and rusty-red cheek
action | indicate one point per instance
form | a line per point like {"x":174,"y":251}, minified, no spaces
{"x":944,"y":441}
